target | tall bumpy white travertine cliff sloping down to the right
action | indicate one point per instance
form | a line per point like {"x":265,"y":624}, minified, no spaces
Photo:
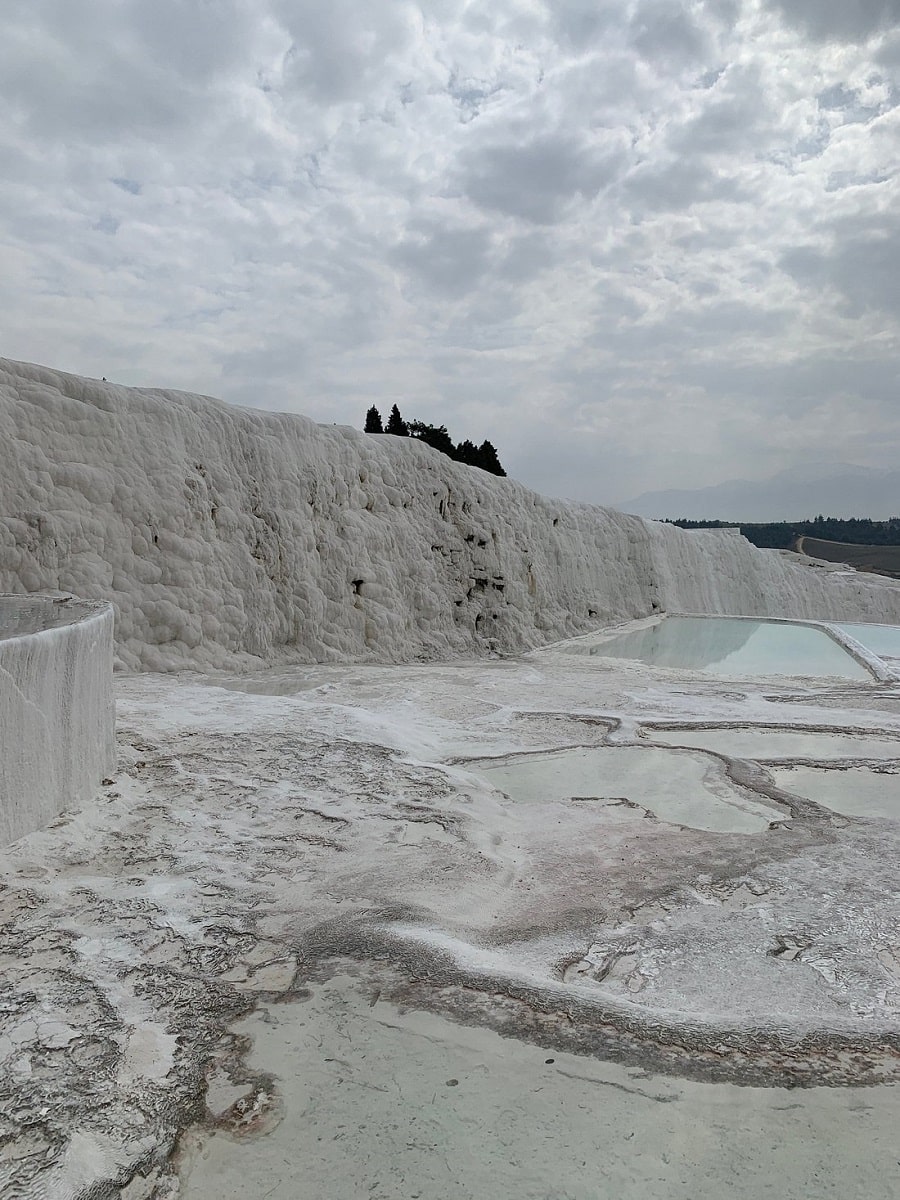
{"x":223,"y":533}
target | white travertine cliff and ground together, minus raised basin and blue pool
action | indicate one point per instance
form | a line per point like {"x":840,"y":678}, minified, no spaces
{"x":338,"y":663}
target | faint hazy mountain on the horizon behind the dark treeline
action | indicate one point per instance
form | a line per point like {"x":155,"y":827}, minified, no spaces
{"x":836,"y":490}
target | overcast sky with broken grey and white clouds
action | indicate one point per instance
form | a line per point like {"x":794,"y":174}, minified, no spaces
{"x":638,"y":244}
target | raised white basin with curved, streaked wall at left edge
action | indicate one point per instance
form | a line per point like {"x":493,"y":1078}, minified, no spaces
{"x":57,"y":707}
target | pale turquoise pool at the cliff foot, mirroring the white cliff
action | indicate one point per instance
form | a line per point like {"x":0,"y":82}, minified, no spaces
{"x":731,"y":647}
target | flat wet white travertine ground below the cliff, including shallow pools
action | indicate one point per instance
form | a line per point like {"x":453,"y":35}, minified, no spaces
{"x":338,"y":821}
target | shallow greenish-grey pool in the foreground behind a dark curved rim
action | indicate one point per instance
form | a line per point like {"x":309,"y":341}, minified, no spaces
{"x":373,"y":1102}
